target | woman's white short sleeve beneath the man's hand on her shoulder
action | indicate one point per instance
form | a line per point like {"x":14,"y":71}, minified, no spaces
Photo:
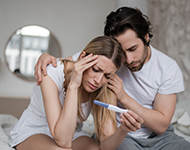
{"x":56,"y":74}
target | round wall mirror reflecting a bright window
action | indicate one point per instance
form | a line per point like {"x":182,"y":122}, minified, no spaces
{"x":25,"y":46}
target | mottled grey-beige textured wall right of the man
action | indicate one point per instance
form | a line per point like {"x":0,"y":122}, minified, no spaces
{"x":171,"y":21}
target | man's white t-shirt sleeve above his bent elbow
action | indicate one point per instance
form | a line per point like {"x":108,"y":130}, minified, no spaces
{"x":172,"y":81}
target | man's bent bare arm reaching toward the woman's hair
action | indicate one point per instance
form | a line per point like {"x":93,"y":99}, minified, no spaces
{"x":156,"y":119}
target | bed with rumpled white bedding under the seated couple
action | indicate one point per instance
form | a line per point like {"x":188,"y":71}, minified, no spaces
{"x":181,"y":122}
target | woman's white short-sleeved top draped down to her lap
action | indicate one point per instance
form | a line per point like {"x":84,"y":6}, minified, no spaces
{"x":33,"y":120}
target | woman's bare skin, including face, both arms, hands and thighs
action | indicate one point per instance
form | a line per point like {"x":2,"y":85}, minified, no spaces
{"x":91,"y":70}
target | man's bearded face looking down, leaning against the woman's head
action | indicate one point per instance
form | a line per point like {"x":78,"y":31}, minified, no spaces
{"x":136,"y":52}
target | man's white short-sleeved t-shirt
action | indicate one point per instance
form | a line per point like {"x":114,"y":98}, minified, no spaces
{"x":160,"y":74}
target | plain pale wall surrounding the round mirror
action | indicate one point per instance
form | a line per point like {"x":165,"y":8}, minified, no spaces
{"x":73,"y":22}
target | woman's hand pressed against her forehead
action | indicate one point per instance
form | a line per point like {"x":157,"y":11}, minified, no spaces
{"x":79,"y":67}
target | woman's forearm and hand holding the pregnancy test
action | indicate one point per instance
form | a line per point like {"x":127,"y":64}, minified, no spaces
{"x":129,"y":122}
